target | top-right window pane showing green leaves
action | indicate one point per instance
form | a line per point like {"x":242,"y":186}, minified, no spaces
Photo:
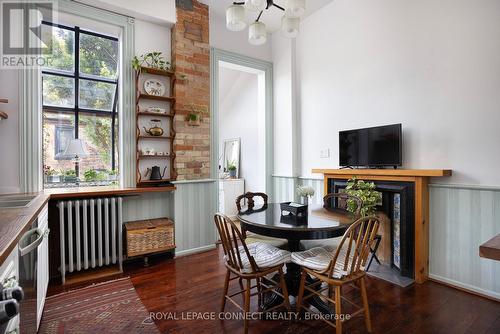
{"x":98,"y":56}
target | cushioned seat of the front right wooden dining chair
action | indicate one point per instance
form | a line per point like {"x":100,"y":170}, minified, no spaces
{"x":319,"y":258}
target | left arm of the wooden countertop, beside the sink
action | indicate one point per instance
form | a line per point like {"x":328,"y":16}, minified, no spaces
{"x":14,"y":222}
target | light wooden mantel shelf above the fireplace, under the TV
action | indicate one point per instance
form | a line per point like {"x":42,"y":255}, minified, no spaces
{"x":386,"y":172}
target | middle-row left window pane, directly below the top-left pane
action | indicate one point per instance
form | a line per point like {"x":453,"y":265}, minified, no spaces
{"x":58,"y":91}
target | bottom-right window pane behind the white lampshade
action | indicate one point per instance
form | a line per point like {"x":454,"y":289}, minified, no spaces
{"x":95,"y":131}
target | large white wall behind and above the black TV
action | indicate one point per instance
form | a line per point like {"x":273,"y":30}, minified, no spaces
{"x":431,"y":65}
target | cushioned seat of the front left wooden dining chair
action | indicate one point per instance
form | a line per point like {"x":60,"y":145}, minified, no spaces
{"x":265,"y":255}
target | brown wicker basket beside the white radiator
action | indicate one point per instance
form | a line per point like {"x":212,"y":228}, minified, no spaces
{"x":149,"y":236}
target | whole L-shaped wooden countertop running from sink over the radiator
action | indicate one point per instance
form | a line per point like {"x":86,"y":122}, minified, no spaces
{"x":14,"y":222}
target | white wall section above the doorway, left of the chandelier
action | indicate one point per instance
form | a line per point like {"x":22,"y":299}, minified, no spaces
{"x":237,"y":42}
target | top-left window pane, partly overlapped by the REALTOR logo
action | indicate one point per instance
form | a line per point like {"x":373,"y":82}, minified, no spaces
{"x":60,"y":53}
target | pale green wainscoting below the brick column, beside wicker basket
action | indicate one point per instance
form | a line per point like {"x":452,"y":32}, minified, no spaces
{"x":194,"y":209}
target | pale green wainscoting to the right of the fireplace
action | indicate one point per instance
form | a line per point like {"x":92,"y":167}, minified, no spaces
{"x":461,"y":219}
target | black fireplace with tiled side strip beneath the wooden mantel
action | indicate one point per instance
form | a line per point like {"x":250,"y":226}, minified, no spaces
{"x":398,"y":203}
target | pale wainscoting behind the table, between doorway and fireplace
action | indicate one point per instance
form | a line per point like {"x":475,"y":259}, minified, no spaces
{"x":285,"y":188}
